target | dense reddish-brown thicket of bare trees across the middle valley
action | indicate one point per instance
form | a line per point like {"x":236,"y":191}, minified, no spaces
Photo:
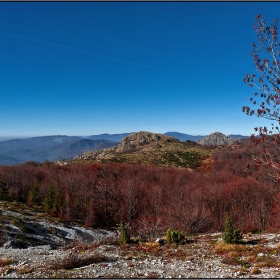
{"x":150,"y":199}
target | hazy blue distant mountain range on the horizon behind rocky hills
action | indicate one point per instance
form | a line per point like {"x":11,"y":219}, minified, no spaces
{"x":57,"y":147}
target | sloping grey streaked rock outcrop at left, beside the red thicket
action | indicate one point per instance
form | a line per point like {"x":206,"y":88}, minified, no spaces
{"x":43,"y":232}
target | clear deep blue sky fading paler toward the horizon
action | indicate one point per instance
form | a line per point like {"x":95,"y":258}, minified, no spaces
{"x":83,"y":68}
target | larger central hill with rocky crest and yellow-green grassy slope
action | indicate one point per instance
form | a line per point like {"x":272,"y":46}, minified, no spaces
{"x":148,"y":148}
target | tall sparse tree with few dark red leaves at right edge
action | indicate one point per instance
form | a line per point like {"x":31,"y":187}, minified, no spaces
{"x":265,"y":148}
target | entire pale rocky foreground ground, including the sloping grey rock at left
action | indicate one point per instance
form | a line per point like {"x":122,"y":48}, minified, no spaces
{"x":37,"y":246}
